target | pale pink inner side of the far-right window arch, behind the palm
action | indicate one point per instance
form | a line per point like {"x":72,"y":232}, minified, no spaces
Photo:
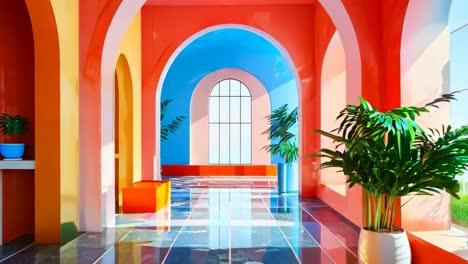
{"x":425,"y":75}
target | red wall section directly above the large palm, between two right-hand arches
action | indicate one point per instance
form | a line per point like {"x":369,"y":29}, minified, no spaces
{"x":379,"y":26}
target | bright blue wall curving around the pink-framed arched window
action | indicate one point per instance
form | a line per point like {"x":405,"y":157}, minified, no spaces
{"x":224,"y":48}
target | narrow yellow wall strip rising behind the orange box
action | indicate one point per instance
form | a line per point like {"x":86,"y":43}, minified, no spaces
{"x":130,"y":47}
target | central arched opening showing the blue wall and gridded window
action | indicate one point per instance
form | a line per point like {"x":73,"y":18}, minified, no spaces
{"x":264,"y":67}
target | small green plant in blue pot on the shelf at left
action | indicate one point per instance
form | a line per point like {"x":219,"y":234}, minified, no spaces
{"x":12,"y":125}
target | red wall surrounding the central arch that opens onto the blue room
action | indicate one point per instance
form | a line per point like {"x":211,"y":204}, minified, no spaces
{"x":165,"y":28}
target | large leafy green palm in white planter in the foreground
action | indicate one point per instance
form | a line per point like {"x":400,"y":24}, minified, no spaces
{"x":389,"y":155}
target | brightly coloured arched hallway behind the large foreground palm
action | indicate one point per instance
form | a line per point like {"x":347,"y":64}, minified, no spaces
{"x":146,"y":127}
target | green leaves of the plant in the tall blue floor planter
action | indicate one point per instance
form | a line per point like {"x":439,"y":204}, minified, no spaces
{"x":281,"y":121}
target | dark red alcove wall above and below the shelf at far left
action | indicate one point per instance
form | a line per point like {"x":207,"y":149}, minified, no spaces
{"x":17,"y":97}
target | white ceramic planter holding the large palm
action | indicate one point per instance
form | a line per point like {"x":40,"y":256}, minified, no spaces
{"x":384,"y":248}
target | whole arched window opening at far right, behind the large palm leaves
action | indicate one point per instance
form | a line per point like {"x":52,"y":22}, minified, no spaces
{"x":433,"y":62}
